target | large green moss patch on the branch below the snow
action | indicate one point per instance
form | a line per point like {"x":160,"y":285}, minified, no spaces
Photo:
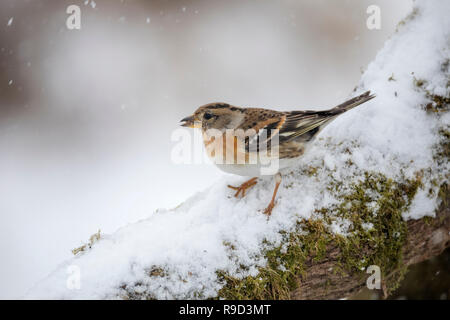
{"x":375,"y":201}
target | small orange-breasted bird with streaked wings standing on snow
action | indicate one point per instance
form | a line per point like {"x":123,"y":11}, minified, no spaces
{"x":241,"y":141}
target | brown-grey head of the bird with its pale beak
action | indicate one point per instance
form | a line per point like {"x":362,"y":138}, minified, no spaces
{"x":220,"y":116}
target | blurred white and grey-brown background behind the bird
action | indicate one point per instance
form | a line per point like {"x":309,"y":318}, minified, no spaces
{"x":86,"y":115}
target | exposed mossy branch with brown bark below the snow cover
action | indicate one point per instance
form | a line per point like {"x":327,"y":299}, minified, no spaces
{"x":318,"y":264}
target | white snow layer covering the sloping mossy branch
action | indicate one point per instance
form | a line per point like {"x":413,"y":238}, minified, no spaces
{"x":391,"y":134}
